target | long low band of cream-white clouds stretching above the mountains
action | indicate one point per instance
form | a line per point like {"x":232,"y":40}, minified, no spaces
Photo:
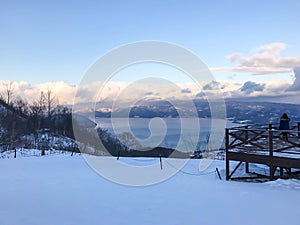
{"x":124,"y":92}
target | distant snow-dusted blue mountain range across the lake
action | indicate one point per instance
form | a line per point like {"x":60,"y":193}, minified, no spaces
{"x":237,"y":111}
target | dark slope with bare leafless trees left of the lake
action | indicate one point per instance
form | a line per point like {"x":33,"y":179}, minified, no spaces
{"x":28,"y":124}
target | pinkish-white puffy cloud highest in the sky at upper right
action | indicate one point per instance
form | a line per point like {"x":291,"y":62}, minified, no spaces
{"x":265,"y":60}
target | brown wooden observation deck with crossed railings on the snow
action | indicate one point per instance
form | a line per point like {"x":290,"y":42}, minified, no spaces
{"x":265,"y":145}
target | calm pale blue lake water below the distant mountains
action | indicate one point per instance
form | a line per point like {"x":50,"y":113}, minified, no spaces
{"x":168,"y":132}
